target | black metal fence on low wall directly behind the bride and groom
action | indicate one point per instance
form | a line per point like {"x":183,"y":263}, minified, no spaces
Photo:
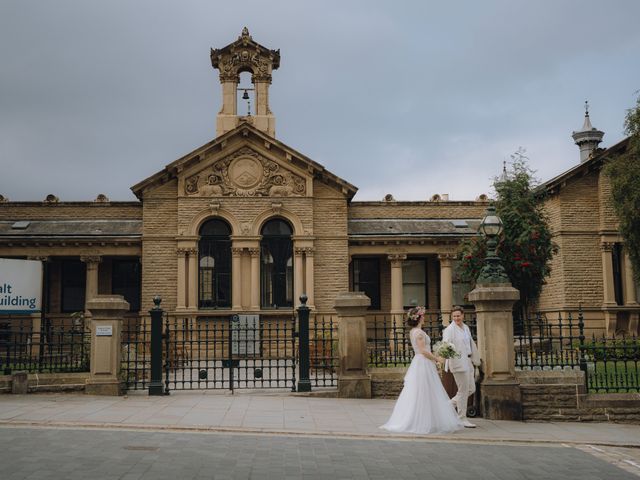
{"x":388,"y":341}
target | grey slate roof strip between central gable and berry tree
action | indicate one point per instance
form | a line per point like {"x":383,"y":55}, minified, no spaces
{"x":366,"y":227}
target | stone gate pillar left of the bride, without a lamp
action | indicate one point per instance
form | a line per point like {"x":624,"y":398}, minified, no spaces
{"x":354,"y":380}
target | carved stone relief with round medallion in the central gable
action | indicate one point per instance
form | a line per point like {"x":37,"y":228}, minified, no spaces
{"x":245,"y":174}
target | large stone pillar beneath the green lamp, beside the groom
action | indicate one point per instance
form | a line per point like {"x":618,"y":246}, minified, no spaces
{"x":500,"y":391}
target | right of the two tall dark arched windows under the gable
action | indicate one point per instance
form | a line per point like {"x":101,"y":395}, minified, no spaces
{"x":276,"y":265}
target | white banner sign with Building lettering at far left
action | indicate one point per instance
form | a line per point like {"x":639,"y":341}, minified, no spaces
{"x":20,"y":286}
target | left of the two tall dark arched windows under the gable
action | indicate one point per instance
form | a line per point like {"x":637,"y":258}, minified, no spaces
{"x":214,"y":265}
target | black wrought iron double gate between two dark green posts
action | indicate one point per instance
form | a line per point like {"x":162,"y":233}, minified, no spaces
{"x":238,"y":351}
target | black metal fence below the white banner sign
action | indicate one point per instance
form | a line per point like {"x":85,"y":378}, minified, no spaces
{"x":62,"y":346}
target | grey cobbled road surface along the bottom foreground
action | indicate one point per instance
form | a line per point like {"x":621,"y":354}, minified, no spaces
{"x":58,"y":453}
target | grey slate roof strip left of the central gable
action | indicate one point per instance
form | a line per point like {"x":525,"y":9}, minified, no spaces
{"x":70,"y":229}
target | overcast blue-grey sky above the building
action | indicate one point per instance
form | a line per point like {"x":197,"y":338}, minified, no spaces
{"x":404,"y":97}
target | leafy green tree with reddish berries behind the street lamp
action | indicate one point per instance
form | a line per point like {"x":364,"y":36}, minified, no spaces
{"x":526,"y":245}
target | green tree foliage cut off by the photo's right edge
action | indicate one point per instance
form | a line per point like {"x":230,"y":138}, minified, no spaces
{"x":623,"y":171}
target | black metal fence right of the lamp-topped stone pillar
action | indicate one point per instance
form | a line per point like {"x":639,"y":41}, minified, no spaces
{"x":558,"y":341}
